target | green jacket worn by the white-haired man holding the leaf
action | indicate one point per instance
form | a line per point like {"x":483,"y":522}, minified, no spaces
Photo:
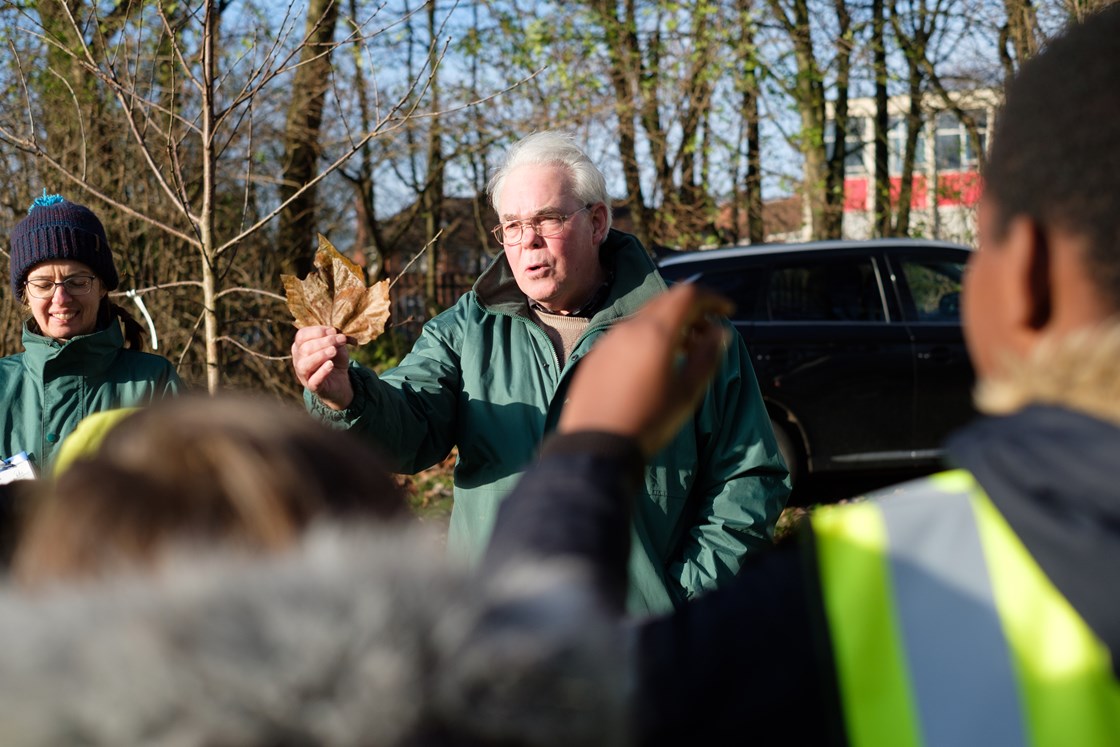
{"x":483,"y":377}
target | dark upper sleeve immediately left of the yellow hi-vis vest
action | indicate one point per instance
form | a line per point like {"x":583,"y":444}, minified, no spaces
{"x":751,"y":660}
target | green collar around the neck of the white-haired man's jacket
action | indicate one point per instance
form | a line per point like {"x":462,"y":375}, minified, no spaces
{"x":636,"y":282}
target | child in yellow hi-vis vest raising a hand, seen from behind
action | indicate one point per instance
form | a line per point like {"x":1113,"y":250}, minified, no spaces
{"x":978,"y":606}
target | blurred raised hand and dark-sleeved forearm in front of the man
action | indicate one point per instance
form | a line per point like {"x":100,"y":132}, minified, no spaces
{"x":632,"y":394}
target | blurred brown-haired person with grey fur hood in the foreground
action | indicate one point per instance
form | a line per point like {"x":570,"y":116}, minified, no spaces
{"x":185,"y":593}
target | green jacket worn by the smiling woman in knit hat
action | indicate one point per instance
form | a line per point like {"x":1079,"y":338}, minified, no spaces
{"x":52,"y":386}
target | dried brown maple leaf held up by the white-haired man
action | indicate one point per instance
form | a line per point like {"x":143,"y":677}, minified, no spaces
{"x":335,"y":295}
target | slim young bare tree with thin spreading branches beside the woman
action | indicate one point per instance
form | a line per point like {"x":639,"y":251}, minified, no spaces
{"x":194,"y":143}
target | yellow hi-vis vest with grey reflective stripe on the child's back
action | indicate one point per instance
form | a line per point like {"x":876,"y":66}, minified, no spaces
{"x":947,"y":633}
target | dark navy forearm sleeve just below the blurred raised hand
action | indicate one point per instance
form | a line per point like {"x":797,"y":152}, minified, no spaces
{"x":576,"y":503}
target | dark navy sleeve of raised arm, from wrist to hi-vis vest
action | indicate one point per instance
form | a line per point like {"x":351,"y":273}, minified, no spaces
{"x":751,"y":660}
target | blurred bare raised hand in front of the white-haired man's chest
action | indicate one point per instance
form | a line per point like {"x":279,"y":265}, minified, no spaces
{"x":646,"y":377}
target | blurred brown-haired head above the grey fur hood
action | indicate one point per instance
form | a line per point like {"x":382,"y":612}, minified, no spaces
{"x":231,"y":471}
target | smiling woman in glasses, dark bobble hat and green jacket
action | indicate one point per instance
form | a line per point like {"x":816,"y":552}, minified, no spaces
{"x":77,"y":359}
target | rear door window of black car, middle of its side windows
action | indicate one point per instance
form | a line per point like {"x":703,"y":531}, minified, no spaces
{"x":825,"y":291}
